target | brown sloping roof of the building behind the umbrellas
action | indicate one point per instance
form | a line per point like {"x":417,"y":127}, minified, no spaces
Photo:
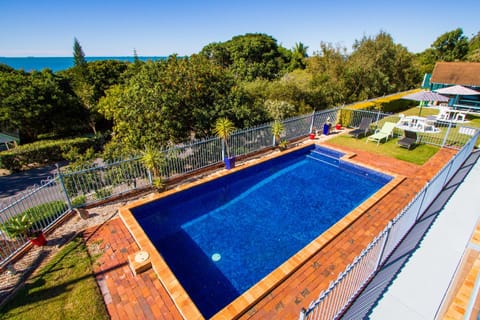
{"x":462,"y":73}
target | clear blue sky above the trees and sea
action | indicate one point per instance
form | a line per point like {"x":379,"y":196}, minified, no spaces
{"x":160,"y":28}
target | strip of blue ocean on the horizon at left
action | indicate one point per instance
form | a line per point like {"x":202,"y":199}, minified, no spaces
{"x":58,"y":63}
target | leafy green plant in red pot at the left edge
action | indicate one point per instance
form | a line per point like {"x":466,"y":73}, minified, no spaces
{"x":23,"y":225}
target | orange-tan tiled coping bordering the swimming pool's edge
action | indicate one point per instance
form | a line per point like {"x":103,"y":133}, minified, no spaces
{"x":241,"y":305}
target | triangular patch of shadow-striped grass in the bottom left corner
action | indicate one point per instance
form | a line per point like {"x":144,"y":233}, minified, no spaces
{"x":63,"y":289}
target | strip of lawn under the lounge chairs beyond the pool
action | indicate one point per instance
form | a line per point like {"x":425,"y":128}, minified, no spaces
{"x":419,"y":155}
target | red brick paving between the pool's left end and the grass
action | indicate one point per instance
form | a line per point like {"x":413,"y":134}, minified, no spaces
{"x":126,"y":296}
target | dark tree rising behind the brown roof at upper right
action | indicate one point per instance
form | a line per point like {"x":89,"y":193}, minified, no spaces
{"x":451,"y":46}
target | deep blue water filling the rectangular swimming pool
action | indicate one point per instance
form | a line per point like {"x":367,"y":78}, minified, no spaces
{"x":222,"y":237}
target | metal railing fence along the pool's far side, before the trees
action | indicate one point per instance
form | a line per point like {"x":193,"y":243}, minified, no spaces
{"x":68,"y":189}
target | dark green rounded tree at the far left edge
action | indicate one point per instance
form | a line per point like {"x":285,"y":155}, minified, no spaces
{"x":39,"y":103}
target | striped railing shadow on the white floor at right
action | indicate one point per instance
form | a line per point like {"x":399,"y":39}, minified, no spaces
{"x":363,"y":305}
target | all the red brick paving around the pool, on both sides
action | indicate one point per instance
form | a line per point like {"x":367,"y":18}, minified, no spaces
{"x":143,"y":297}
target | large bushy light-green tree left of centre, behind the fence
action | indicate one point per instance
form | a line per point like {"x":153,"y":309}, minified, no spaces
{"x":171,"y":101}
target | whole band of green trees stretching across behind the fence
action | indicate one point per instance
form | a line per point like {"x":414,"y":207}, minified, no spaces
{"x":250,"y":79}
